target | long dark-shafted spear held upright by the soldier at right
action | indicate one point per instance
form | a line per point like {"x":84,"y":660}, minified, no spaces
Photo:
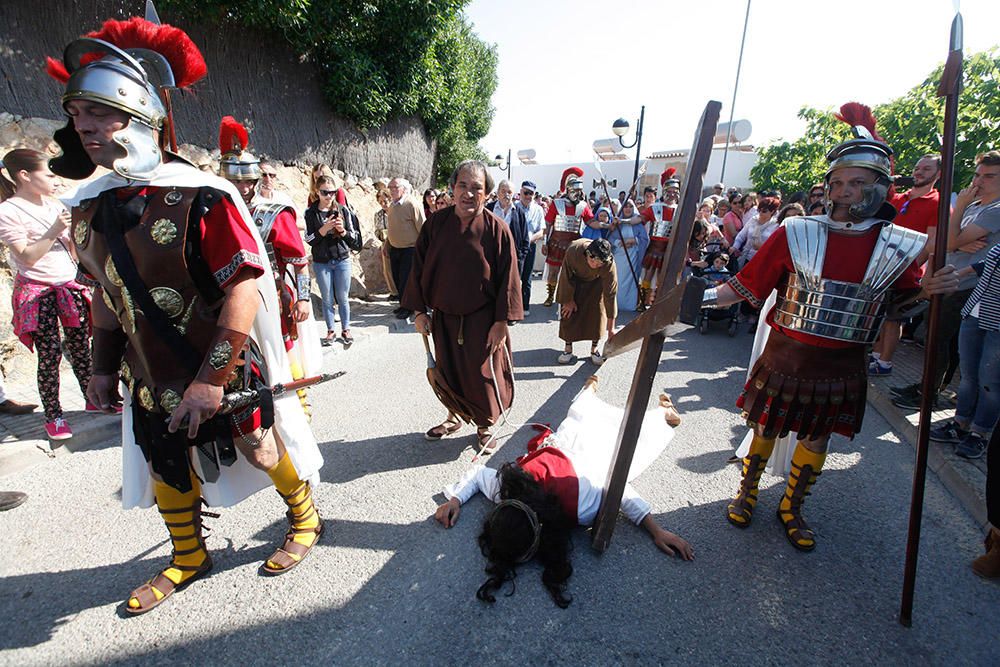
{"x":949,"y":88}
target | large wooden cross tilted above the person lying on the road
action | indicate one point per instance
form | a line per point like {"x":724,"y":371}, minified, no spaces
{"x":649,"y":327}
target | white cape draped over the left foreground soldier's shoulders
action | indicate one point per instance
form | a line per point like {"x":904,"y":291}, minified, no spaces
{"x":240,"y":480}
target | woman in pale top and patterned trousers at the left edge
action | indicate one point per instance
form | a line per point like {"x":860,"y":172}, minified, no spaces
{"x":35,"y":229}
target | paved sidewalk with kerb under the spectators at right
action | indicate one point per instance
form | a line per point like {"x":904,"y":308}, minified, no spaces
{"x":964,"y":478}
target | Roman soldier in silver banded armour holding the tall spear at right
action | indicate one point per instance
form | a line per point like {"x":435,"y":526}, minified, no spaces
{"x":811,"y":377}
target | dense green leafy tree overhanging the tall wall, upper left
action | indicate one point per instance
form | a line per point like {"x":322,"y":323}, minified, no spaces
{"x":382,"y":59}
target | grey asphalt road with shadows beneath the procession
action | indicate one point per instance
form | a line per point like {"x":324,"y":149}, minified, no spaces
{"x":387,"y":585}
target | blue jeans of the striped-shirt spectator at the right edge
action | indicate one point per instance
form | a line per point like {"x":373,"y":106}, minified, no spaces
{"x":979,"y":392}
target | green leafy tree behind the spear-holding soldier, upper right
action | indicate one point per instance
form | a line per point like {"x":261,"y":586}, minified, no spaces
{"x":911,"y":124}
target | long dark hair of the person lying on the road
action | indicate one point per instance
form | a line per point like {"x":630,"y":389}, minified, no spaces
{"x":507,"y":535}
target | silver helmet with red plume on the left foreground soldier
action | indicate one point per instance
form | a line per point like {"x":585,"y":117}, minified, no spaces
{"x":129,"y":66}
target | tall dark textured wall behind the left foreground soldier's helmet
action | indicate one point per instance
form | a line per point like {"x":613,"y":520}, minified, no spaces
{"x":251,"y":76}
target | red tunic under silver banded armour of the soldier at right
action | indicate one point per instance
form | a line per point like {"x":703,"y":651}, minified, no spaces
{"x":847,"y":258}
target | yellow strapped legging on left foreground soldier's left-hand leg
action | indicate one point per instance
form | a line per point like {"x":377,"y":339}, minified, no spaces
{"x":182,"y":514}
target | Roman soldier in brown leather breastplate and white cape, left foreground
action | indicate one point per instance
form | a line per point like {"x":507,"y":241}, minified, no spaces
{"x":182,"y":306}
